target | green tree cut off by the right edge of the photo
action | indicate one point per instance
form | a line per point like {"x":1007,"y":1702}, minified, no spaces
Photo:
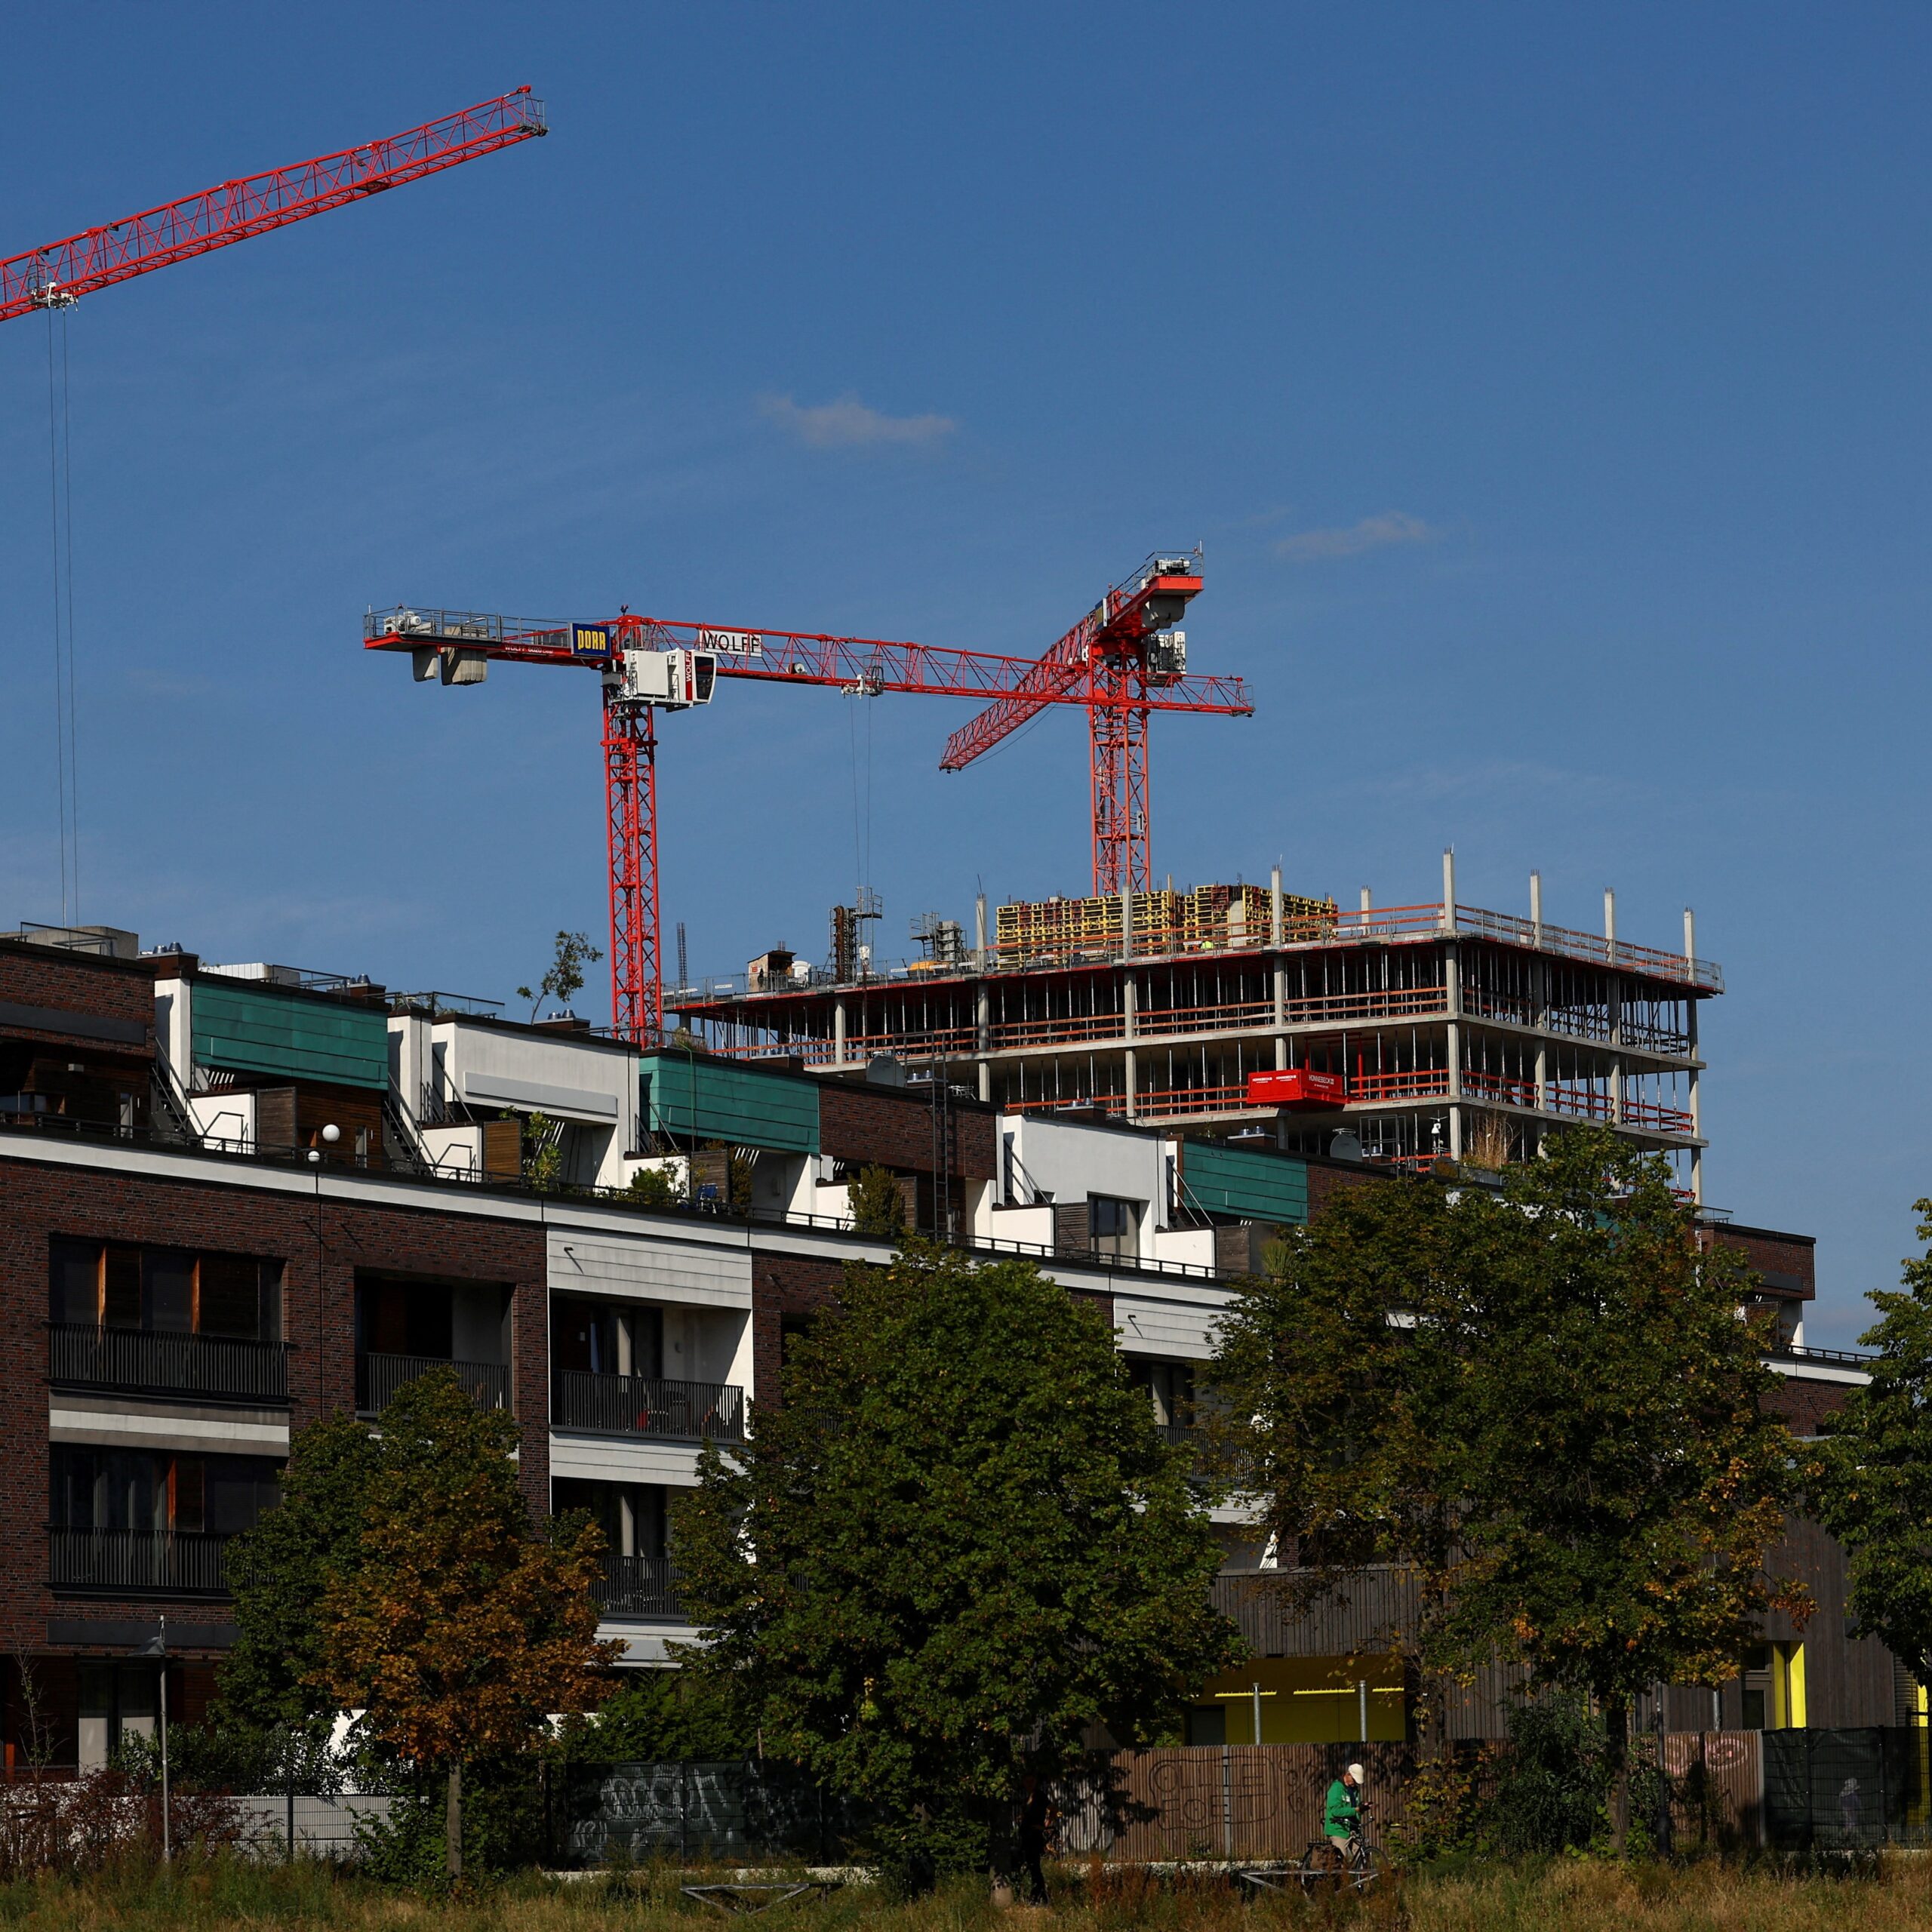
{"x":1873,"y":1485}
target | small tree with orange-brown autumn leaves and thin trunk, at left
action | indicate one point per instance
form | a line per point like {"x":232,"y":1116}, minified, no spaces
{"x":459,"y":1632}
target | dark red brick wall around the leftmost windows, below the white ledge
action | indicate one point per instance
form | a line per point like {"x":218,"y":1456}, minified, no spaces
{"x":320,"y":1243}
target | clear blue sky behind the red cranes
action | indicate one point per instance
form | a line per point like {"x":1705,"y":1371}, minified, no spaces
{"x":1548,"y":387}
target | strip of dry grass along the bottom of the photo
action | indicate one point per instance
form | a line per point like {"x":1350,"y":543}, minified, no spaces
{"x":1572,"y":1896}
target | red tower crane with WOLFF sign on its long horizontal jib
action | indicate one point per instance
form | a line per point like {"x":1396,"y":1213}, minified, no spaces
{"x":656,"y":666}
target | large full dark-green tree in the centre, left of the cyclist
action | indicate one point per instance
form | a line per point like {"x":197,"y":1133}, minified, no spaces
{"x":952,"y":1550}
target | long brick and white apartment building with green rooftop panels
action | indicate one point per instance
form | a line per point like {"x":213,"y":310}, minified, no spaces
{"x":235,"y":1199}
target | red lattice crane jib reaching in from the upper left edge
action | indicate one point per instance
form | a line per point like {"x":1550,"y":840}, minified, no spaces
{"x":61,"y":273}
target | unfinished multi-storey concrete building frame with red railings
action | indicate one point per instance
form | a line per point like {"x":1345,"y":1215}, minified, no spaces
{"x":1406,"y":1033}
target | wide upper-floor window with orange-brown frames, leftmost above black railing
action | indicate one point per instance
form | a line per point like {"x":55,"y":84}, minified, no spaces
{"x":165,"y":1292}
